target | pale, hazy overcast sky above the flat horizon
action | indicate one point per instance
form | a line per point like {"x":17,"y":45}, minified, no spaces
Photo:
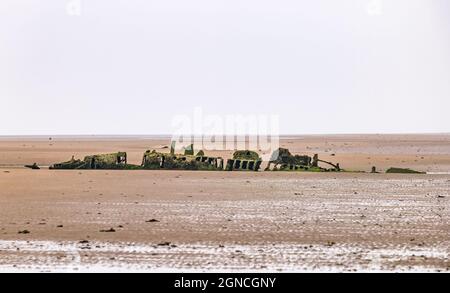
{"x":129,"y":66}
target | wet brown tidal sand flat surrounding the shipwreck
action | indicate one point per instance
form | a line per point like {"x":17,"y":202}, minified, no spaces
{"x":227,"y":221}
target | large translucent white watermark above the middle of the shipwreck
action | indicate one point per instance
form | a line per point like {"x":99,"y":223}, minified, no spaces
{"x":210,"y":132}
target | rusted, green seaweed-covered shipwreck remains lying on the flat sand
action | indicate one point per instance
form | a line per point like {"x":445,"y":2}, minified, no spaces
{"x":242,"y":160}
